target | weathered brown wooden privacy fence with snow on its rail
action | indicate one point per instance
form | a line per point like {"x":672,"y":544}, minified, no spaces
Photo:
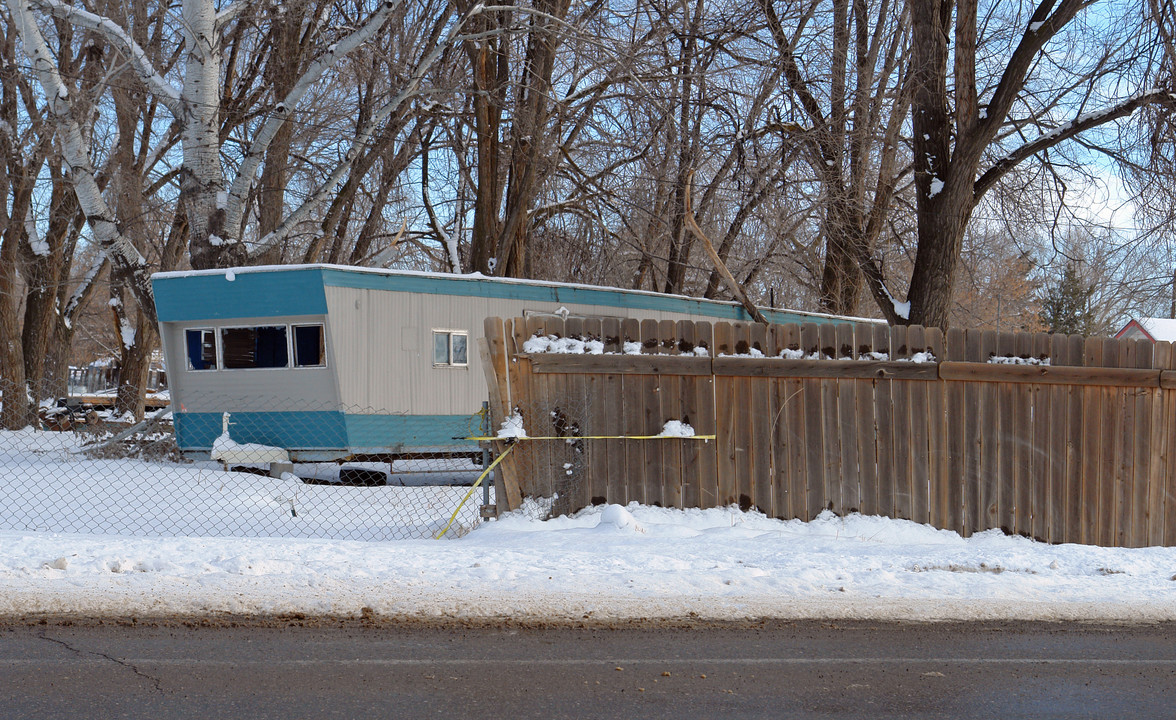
{"x":1059,"y":438}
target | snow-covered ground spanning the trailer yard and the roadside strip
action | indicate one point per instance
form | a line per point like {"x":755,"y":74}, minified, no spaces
{"x":605,"y":564}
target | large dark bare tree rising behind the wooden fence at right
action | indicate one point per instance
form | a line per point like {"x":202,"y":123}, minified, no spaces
{"x":970,"y":130}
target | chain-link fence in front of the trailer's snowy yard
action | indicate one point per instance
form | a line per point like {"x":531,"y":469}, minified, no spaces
{"x":279,"y":469}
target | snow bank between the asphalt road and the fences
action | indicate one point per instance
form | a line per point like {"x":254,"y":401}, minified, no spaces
{"x":605,"y":565}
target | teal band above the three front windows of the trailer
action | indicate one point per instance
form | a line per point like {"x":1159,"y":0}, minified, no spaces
{"x":215,"y":297}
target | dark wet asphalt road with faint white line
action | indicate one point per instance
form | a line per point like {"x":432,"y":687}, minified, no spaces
{"x":777,"y":670}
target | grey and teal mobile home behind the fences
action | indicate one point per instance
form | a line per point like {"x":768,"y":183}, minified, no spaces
{"x":332,"y":363}
